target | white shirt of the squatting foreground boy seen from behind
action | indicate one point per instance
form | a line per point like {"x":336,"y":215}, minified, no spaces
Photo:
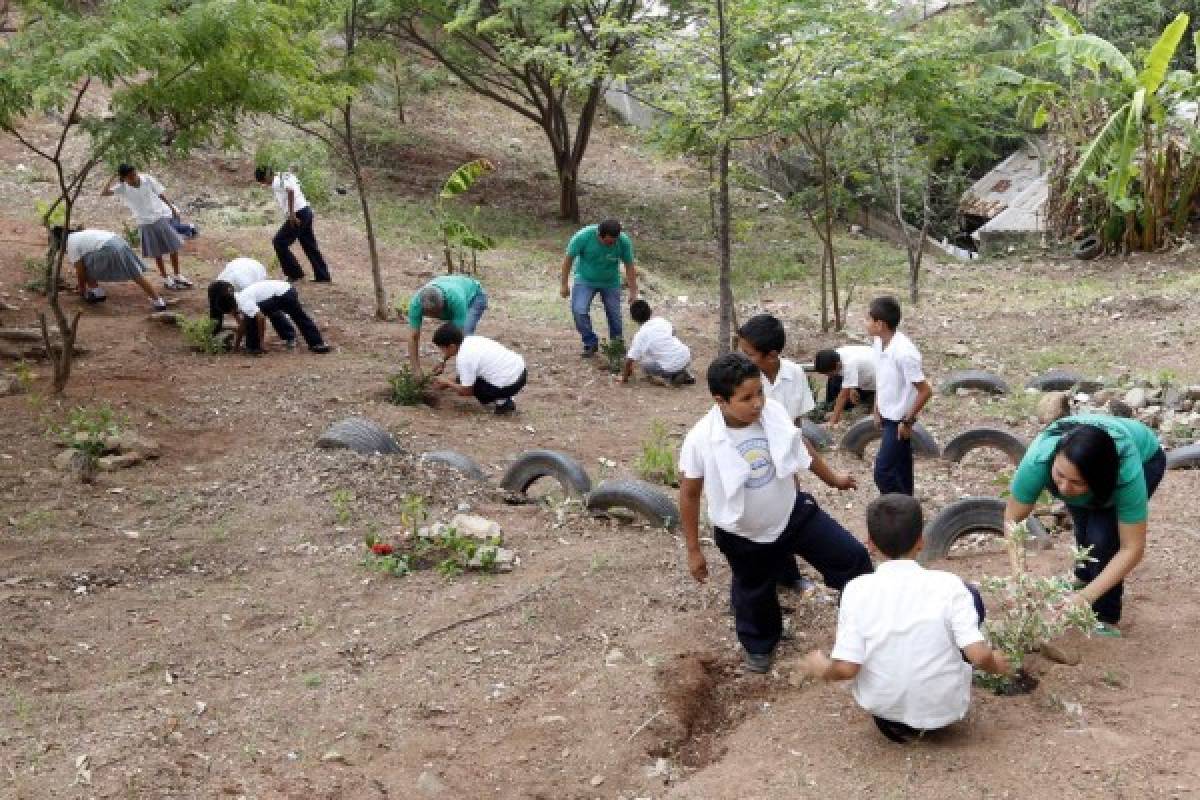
{"x":905,"y":625}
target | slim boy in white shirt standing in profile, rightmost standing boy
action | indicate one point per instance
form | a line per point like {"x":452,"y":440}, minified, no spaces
{"x":901,"y":394}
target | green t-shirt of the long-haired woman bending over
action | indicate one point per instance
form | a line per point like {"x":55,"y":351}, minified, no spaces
{"x":1136,"y":443}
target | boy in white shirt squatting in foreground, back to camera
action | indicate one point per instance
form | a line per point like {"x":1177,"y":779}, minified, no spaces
{"x":907,"y":634}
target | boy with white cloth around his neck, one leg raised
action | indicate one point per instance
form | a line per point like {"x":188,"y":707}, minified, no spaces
{"x":745,"y":458}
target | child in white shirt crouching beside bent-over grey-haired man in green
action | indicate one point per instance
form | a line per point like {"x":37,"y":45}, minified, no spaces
{"x":488,"y":370}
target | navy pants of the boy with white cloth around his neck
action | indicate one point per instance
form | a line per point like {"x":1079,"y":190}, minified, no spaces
{"x":813,"y":536}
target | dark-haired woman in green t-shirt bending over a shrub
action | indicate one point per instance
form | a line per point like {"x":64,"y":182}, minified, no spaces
{"x":1106,"y":470}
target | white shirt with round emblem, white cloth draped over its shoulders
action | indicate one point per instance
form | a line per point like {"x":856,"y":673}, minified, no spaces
{"x":711,"y":453}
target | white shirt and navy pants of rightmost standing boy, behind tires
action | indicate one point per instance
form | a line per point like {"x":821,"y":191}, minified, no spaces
{"x":898,"y":366}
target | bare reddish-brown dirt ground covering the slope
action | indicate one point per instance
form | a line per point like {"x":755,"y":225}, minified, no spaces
{"x":201,"y":627}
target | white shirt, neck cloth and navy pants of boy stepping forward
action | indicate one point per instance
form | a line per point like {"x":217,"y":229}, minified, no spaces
{"x":761,"y":520}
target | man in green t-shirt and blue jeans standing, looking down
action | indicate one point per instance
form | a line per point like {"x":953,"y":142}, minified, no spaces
{"x":597,"y":254}
